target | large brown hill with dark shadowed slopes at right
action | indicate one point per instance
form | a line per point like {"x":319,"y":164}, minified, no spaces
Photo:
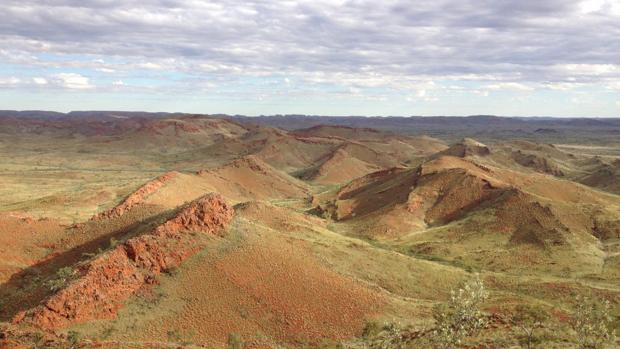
{"x":447,"y":199}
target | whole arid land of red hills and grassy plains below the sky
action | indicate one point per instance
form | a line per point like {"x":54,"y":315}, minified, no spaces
{"x":176,"y":230}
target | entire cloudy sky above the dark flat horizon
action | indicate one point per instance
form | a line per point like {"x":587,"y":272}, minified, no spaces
{"x":387,"y":57}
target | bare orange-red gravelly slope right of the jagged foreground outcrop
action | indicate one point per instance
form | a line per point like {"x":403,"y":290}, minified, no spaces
{"x":272,"y":286}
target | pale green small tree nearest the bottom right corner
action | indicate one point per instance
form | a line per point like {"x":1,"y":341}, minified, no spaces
{"x":592,"y":322}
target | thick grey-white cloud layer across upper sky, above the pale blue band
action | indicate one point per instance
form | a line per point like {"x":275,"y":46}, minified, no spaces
{"x":492,"y":39}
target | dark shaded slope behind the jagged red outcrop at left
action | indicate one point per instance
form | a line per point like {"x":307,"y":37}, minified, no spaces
{"x":27,"y":288}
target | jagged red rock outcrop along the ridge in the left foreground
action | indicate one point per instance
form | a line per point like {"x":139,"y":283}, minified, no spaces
{"x":104,"y":283}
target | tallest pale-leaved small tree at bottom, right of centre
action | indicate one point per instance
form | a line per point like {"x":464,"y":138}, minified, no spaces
{"x":461,"y":316}
